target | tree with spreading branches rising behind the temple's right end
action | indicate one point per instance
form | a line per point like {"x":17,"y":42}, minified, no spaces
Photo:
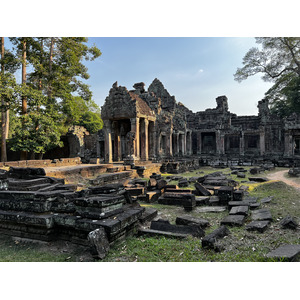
{"x":279,"y":62}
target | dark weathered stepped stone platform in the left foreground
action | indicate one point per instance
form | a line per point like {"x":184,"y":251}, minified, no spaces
{"x":34,"y":206}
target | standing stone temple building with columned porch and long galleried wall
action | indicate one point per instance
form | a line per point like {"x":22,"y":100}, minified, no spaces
{"x":141,"y":125}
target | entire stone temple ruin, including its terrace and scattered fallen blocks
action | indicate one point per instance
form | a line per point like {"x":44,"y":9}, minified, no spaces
{"x":146,"y":133}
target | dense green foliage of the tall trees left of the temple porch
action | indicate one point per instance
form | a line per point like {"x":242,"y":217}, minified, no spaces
{"x":53,"y":95}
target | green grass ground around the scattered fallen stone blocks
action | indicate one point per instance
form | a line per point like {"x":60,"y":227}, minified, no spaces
{"x":239,"y":246}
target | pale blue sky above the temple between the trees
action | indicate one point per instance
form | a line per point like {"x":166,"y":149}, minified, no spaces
{"x":194,"y":70}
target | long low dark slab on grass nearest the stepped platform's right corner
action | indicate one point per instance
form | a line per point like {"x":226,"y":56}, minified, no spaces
{"x":164,"y":225}
